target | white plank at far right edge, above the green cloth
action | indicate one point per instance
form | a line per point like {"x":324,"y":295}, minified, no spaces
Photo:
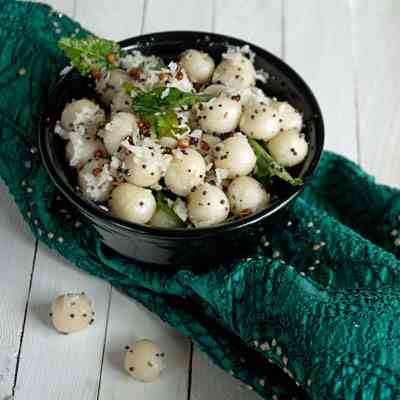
{"x":376,"y":27}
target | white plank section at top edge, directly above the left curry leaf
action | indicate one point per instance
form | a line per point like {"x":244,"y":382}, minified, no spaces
{"x":116,"y":20}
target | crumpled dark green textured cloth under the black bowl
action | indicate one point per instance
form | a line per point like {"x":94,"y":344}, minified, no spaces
{"x":313,"y":314}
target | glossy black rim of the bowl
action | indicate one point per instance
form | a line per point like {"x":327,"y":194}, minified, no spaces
{"x":95,"y":213}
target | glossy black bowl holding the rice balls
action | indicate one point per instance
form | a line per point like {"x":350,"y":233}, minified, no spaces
{"x":176,"y":247}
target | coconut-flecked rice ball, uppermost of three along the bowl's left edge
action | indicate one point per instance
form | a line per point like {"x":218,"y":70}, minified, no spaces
{"x":83,"y":115}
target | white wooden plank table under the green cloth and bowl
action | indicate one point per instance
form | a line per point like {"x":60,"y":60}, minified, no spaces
{"x":347,"y":50}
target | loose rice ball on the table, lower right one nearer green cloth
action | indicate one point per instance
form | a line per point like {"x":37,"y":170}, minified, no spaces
{"x":144,"y":360}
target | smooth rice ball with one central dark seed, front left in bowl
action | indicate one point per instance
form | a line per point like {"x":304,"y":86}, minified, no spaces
{"x":132,"y":203}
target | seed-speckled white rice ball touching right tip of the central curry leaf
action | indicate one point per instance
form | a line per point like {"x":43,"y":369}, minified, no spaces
{"x":219,"y":115}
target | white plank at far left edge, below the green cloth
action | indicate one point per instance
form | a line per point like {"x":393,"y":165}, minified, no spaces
{"x":17,"y":247}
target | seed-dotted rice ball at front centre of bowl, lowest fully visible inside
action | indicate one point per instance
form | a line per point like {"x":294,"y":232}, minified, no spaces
{"x":207,"y":205}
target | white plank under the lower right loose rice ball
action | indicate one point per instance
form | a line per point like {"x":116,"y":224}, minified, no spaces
{"x":129,"y":321}
